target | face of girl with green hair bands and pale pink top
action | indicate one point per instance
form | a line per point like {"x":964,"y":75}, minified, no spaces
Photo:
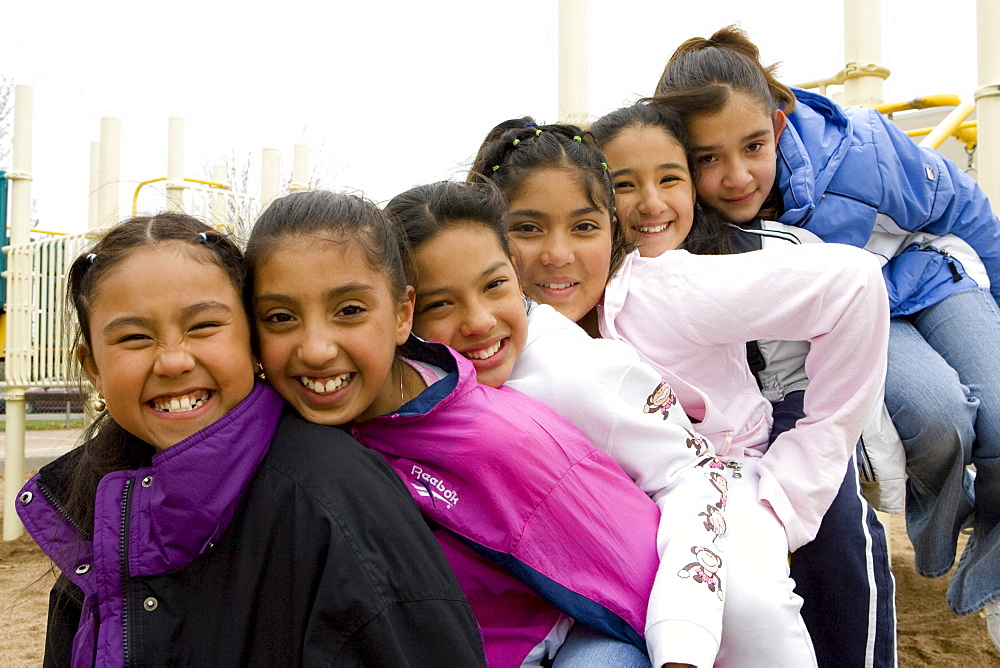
{"x":562,"y":241}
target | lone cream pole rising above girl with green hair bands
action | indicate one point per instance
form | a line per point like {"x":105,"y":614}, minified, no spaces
{"x":573,"y":60}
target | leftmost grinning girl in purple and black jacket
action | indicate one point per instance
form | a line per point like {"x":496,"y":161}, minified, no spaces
{"x":200,"y":524}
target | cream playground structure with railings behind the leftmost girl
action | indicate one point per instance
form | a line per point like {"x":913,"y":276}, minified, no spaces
{"x":38,"y":332}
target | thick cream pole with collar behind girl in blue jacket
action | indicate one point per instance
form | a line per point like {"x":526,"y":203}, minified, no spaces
{"x":863,"y":52}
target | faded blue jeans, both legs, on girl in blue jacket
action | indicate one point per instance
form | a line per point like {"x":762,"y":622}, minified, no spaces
{"x":943,"y":393}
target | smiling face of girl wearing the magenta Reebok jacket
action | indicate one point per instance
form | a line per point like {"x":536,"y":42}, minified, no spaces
{"x":328,"y":326}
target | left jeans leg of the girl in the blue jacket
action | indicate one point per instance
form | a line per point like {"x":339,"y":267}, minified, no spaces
{"x":935,"y":417}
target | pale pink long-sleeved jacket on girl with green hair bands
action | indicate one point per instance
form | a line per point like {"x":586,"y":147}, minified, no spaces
{"x":691,"y":315}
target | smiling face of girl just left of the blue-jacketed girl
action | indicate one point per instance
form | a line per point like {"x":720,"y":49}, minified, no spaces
{"x":653,"y":189}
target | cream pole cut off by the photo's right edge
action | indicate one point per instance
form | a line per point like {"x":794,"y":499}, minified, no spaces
{"x":988,"y":99}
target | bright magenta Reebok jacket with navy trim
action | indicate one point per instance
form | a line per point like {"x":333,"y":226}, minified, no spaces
{"x":516,"y":485}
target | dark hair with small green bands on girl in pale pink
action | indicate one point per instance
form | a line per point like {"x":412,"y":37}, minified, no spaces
{"x":515,"y":149}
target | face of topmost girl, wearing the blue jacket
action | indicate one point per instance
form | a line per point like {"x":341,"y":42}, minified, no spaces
{"x":735,"y":154}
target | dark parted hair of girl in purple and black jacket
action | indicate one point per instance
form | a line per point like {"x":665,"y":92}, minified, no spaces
{"x":107,"y":446}
